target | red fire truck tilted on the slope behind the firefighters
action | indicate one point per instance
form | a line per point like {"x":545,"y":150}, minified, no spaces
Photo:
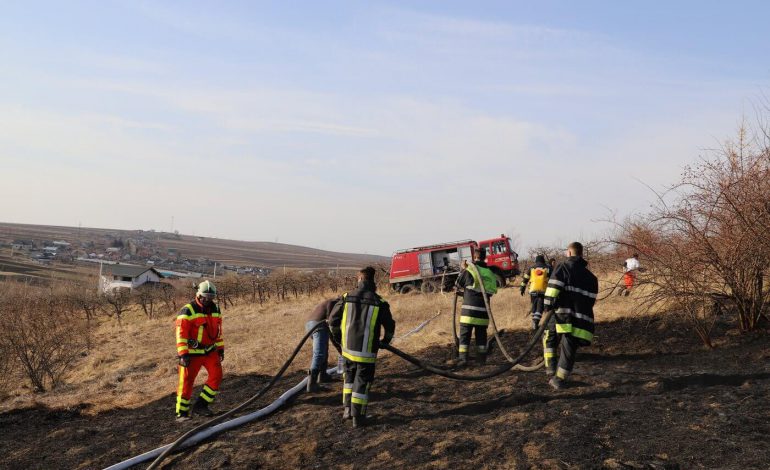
{"x":433,"y":267}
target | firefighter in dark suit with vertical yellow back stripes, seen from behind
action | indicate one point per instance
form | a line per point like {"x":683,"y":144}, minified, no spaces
{"x":355,"y":323}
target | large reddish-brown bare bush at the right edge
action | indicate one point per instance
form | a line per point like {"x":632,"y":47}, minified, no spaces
{"x":704,"y":241}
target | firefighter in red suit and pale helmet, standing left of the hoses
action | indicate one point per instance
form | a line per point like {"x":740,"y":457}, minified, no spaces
{"x":199,"y":344}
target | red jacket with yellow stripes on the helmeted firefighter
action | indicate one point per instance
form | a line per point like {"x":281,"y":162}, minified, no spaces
{"x":198,"y":331}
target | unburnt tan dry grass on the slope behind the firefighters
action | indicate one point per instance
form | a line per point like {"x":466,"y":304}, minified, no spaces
{"x":134,"y":363}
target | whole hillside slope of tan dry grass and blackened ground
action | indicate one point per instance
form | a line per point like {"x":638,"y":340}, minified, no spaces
{"x":646,"y":394}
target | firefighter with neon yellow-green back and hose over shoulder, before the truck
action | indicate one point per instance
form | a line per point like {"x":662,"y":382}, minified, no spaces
{"x":474,"y":315}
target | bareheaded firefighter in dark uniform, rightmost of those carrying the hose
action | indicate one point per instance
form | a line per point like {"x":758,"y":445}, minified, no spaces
{"x":571,"y":294}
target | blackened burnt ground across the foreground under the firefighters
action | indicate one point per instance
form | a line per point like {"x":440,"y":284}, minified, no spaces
{"x":645,"y":395}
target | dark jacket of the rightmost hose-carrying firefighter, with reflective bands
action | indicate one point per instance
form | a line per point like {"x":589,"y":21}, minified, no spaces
{"x":572,"y":292}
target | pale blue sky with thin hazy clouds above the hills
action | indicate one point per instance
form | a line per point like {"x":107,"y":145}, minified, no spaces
{"x":365,"y":126}
